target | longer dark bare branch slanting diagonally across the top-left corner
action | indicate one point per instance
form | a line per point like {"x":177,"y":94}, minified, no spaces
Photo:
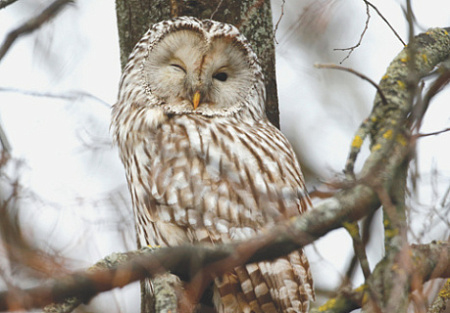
{"x":32,"y":24}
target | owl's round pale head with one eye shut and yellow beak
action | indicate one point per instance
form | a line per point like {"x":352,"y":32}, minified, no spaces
{"x":191,"y":66}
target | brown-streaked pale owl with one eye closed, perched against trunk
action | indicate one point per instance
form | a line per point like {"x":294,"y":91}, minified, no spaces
{"x":203,"y":163}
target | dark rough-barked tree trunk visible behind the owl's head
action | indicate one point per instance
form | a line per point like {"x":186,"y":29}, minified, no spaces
{"x":253,"y":18}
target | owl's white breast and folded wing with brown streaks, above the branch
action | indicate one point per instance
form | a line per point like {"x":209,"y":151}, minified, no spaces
{"x":211,"y":180}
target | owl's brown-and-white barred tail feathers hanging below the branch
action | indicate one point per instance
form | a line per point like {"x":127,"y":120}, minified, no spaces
{"x":282,"y":285}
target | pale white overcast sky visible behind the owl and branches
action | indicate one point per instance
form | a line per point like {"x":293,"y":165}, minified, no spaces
{"x":76,"y":201}
